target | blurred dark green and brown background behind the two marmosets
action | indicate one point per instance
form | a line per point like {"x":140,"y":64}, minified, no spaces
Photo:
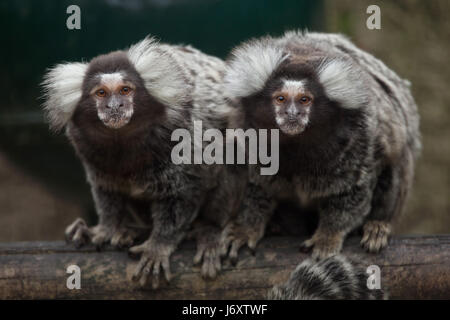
{"x":42,"y":184}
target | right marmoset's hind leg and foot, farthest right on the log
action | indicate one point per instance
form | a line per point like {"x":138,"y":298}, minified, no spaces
{"x":388,"y":200}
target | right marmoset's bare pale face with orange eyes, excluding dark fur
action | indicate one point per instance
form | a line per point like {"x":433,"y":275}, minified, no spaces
{"x":291,"y":105}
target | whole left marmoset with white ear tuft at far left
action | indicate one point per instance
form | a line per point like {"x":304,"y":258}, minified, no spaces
{"x":119,"y":111}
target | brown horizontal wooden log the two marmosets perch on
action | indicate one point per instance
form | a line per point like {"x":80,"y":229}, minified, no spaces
{"x":411,"y":268}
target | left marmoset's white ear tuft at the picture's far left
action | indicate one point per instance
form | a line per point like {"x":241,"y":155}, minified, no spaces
{"x":62,"y":91}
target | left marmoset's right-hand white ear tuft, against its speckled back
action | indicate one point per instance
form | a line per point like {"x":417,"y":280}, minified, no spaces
{"x":163,"y":77}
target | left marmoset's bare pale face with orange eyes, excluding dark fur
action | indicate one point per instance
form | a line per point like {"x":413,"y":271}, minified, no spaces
{"x":113,"y":98}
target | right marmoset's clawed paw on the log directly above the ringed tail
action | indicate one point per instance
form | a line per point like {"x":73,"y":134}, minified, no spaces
{"x":323,"y":245}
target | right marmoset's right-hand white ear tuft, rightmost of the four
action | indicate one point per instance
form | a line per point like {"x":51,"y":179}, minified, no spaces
{"x":343,"y":82}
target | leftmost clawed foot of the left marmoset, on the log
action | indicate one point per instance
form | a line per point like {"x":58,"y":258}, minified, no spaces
{"x":80,"y":234}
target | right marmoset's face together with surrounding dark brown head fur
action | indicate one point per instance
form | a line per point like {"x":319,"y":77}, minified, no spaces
{"x":294,"y":101}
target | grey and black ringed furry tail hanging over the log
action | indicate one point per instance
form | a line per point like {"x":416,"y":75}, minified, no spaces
{"x":334,"y":278}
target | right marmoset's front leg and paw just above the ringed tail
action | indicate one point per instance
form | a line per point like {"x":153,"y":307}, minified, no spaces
{"x":338,"y":215}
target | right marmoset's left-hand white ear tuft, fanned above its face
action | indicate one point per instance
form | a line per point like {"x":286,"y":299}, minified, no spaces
{"x":250,"y":66}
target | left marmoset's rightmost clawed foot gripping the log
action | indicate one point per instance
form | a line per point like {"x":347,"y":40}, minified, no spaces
{"x":209,"y":250}
